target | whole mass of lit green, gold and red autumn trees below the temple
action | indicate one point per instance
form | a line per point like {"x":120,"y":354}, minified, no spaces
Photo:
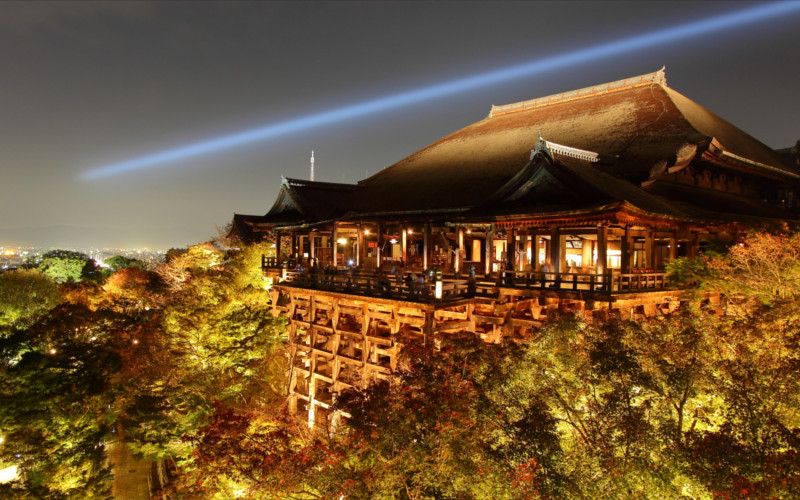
{"x":187,"y":362}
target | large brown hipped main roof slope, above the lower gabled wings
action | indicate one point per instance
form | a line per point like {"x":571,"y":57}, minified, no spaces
{"x":639,"y":125}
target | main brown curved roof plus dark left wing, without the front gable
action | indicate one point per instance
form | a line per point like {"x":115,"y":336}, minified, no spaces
{"x":630,"y":126}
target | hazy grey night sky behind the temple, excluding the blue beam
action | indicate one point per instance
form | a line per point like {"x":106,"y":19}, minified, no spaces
{"x":88,"y":84}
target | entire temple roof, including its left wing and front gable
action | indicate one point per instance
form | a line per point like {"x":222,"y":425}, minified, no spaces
{"x":636,"y":127}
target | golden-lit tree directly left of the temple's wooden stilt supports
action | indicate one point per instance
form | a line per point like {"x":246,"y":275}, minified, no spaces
{"x":214,"y":342}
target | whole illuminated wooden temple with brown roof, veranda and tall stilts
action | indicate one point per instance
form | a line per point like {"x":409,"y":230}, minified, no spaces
{"x":571,"y":202}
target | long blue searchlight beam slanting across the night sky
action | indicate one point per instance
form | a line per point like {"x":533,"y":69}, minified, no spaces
{"x":726,"y":21}
